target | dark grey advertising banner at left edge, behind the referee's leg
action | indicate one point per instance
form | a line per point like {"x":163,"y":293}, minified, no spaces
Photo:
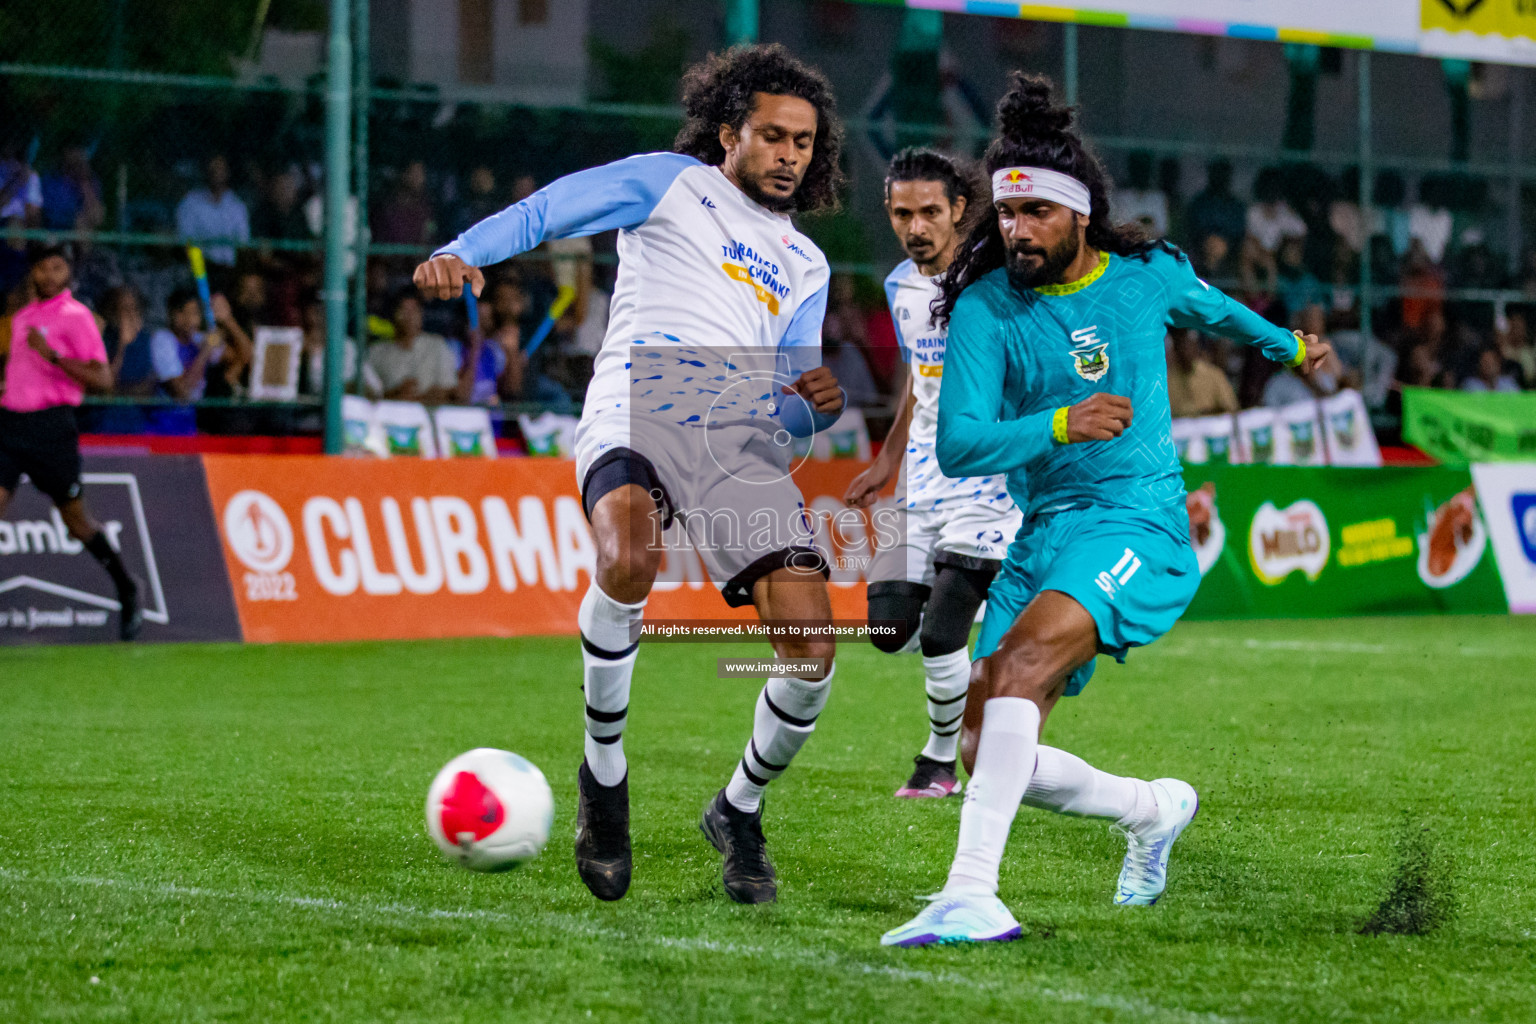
{"x":156,"y":512}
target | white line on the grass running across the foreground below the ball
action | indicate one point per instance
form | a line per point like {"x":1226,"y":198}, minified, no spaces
{"x":581,"y":928}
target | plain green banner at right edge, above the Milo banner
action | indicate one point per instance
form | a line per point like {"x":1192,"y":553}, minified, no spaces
{"x":1462,"y":428}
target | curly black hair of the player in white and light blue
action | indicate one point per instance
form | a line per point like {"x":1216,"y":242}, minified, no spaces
{"x":723,"y":90}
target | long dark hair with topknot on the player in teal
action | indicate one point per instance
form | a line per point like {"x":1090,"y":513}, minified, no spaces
{"x":1036,"y":133}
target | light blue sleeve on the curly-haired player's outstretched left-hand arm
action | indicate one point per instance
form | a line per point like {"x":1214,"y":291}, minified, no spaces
{"x":621,"y":194}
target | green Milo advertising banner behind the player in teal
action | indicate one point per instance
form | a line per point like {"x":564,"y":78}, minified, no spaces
{"x":1283,"y":543}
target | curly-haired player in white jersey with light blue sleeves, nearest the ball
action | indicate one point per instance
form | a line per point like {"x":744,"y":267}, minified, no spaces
{"x":710,"y":365}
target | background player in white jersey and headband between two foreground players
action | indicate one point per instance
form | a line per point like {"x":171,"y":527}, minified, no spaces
{"x":955,"y":530}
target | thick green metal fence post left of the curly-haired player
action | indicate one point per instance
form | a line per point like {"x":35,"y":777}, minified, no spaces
{"x":339,"y":140}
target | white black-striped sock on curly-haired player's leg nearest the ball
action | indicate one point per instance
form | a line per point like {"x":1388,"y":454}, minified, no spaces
{"x":609,"y":647}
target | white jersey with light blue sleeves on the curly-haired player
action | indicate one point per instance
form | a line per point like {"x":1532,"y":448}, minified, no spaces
{"x":701,"y":266}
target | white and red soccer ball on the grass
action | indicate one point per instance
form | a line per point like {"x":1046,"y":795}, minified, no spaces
{"x":491,"y":810}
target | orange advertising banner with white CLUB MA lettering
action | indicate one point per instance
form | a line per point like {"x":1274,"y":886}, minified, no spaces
{"x":331,"y":549}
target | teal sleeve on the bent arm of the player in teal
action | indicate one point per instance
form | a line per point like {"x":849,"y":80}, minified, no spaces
{"x":973,"y":438}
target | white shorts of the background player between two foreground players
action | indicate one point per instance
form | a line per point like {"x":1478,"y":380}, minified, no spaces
{"x":968,"y":535}
